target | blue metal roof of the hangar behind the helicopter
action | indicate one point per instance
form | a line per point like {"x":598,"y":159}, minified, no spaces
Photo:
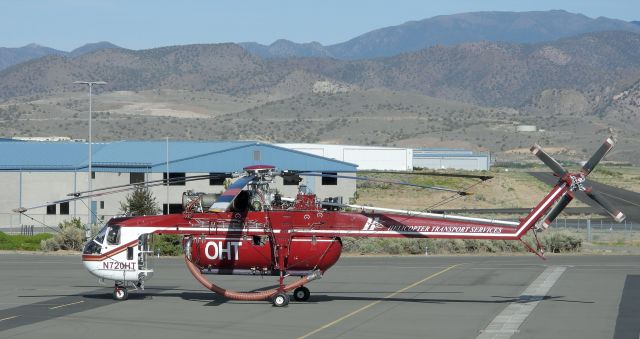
{"x":151,"y":156}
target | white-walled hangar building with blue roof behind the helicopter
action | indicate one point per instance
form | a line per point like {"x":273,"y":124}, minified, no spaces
{"x":32,"y":173}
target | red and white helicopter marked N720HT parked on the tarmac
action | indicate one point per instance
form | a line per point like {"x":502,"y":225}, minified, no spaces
{"x":251,"y":230}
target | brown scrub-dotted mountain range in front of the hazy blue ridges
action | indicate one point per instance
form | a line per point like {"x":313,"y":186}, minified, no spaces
{"x":484,"y":73}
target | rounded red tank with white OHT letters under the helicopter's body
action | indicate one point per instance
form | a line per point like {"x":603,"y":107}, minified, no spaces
{"x":255,"y":255}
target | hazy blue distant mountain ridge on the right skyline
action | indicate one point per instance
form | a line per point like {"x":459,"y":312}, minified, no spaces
{"x":517,"y":27}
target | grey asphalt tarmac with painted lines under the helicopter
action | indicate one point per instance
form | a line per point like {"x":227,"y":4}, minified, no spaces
{"x":361,"y":297}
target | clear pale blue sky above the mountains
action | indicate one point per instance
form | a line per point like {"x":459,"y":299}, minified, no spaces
{"x":142,"y":24}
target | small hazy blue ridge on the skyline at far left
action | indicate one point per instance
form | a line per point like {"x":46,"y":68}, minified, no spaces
{"x":14,"y":56}
